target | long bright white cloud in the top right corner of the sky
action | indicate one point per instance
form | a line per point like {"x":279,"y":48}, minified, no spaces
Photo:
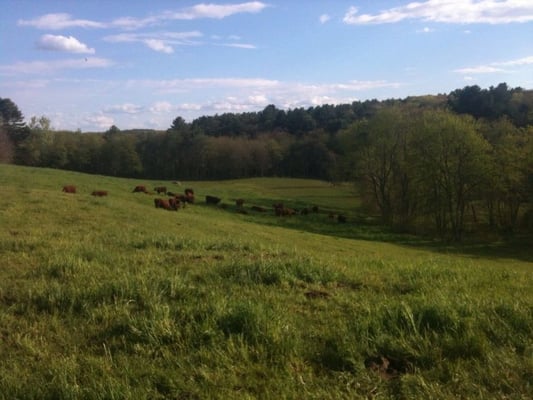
{"x":449,"y":11}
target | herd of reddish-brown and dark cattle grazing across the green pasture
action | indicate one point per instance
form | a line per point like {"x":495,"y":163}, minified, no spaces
{"x":175,"y":201}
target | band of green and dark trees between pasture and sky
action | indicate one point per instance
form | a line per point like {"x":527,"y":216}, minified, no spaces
{"x":445,"y":163}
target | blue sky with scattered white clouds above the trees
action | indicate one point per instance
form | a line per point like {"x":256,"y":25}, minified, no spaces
{"x":90,"y":64}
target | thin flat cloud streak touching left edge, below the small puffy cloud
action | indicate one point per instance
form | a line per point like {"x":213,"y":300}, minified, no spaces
{"x":39,"y":67}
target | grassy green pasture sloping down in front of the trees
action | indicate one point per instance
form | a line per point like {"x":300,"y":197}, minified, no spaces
{"x":111,"y":298}
